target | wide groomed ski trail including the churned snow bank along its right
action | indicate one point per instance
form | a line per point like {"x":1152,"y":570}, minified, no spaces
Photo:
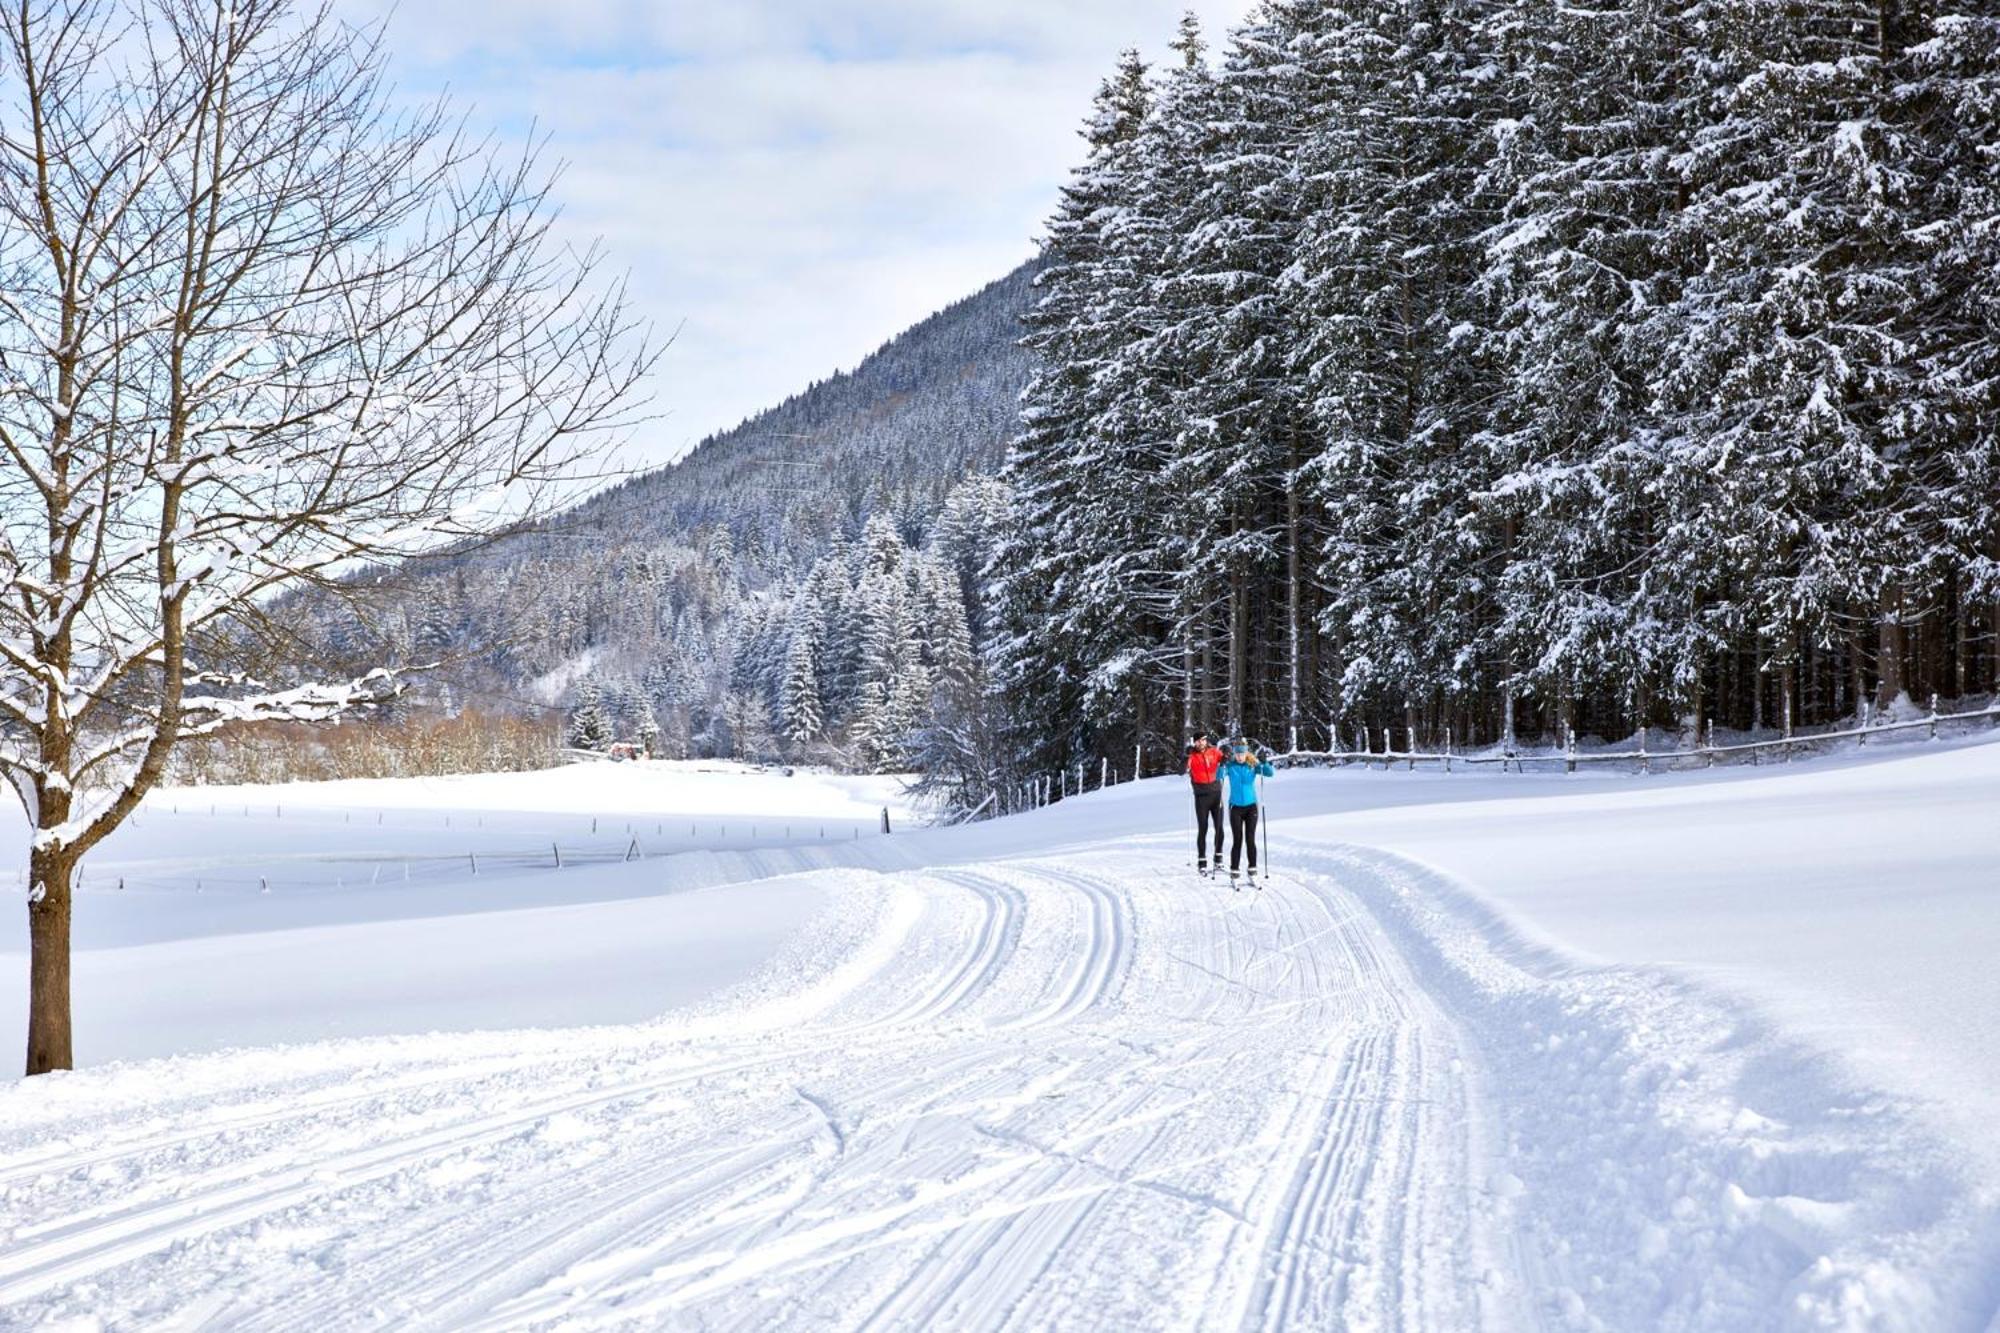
{"x":1085,"y":1092}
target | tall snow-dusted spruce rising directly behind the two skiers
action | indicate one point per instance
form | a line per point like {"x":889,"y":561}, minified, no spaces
{"x":1239,"y":411}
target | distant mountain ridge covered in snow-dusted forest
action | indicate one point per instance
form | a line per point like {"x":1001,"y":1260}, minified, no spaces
{"x":657,"y":587}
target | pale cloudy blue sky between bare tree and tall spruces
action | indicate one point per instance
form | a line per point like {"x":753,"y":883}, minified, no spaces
{"x":785,"y":183}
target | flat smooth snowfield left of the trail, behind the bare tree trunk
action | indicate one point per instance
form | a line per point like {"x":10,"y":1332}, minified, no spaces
{"x":337,"y":910}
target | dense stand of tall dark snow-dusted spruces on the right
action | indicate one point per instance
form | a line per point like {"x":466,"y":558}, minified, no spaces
{"x":1515,"y":369}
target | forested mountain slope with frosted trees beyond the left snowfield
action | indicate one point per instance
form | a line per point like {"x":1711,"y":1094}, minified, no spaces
{"x":661,"y":607}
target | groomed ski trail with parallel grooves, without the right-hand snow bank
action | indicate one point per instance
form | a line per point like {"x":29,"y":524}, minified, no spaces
{"x":1097,"y":1094}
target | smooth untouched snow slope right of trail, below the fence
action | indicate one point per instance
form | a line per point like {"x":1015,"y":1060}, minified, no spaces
{"x":1851,"y":902}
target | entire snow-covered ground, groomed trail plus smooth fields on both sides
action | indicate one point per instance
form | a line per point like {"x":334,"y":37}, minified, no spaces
{"x":1697,"y":1052}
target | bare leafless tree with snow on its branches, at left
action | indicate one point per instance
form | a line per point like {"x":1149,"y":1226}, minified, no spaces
{"x":257,"y":325}
